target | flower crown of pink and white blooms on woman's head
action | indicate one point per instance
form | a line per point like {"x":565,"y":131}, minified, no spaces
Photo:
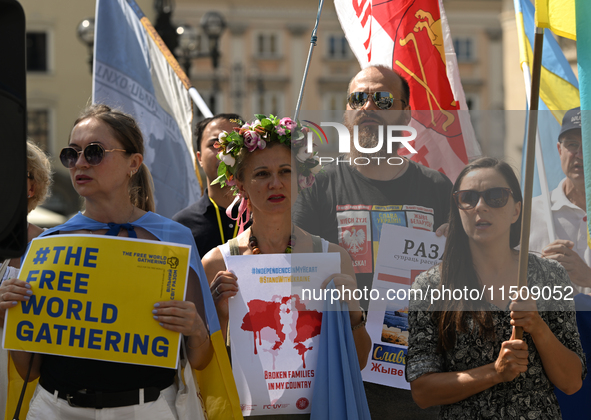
{"x":255,"y":136}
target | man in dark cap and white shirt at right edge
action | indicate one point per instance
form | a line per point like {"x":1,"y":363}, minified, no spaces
{"x":568,"y":210}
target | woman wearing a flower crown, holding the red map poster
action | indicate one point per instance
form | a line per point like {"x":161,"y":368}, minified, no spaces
{"x":257,"y":161}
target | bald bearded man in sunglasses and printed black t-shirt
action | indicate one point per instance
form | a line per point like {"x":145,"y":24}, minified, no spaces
{"x":350,"y":202}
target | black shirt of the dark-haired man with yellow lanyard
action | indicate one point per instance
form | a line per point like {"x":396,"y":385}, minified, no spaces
{"x":202,"y":219}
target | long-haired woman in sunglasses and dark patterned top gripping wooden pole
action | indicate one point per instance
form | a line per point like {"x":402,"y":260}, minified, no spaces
{"x":463,"y":354}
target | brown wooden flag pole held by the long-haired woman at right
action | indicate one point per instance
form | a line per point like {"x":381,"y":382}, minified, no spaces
{"x":532,"y":130}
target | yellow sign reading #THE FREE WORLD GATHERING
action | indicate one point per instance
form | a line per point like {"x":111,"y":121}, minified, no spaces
{"x":93,"y":298}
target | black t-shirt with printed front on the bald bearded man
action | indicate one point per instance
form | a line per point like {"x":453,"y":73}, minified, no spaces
{"x":347,"y":208}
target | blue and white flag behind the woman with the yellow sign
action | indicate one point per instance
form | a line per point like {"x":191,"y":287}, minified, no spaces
{"x":135,"y":72}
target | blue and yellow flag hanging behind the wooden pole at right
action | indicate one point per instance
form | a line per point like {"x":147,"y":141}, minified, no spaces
{"x":559,"y":90}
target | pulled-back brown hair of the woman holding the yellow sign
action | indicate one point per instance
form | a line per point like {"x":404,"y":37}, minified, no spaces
{"x":126,"y":130}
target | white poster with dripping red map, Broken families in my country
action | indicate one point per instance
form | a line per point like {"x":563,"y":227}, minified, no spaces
{"x":275,"y":331}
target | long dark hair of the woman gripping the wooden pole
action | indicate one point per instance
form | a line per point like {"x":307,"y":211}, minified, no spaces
{"x":457,"y":266}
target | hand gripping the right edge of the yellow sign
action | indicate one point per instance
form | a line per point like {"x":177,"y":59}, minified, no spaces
{"x":179,"y":316}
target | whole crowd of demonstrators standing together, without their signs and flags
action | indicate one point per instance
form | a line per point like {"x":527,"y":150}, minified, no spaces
{"x":464,"y":360}
